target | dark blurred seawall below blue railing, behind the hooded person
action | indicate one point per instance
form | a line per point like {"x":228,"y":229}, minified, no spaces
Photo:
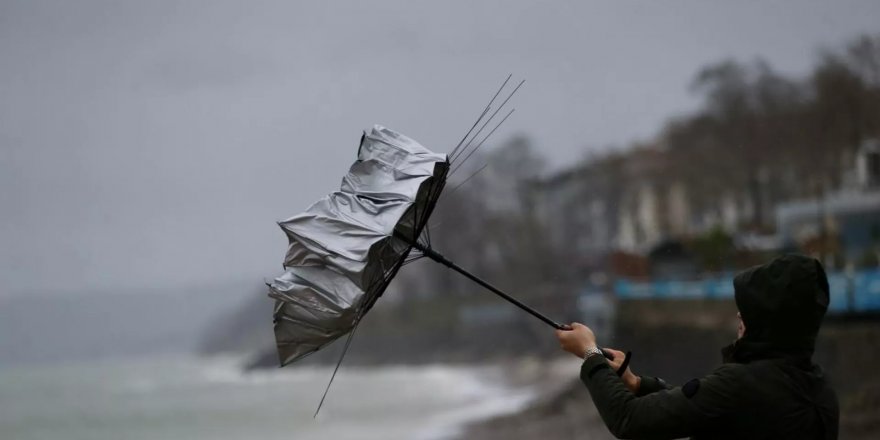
{"x":681,"y":339}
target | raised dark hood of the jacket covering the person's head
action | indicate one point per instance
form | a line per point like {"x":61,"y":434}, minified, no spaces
{"x":782,"y":304}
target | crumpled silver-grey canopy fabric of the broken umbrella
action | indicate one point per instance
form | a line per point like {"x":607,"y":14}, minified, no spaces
{"x":342,"y":250}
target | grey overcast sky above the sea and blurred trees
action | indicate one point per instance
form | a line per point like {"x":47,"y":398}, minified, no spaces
{"x":155,"y":143}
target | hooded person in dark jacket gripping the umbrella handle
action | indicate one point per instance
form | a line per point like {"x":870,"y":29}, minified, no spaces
{"x":767,"y":387}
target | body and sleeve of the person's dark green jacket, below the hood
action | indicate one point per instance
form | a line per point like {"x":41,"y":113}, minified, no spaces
{"x":767,"y":399}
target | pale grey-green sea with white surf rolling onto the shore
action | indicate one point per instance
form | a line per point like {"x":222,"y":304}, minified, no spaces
{"x":184,"y":397}
